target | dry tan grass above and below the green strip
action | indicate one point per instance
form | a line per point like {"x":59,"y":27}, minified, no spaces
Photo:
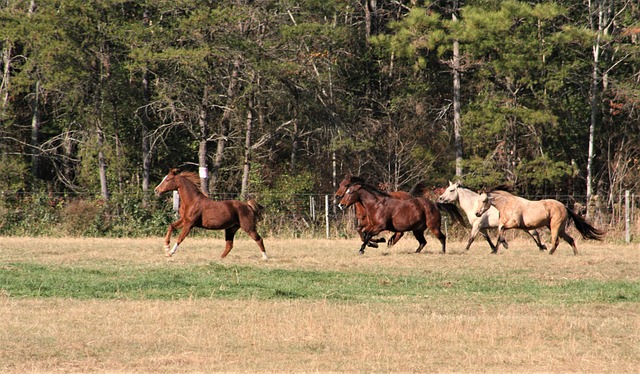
{"x":59,"y":335}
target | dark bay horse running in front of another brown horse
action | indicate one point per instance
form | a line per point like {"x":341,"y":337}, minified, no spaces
{"x":387,"y":213}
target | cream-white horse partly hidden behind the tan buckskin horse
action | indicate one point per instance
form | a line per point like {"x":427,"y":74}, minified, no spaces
{"x":468,"y":200}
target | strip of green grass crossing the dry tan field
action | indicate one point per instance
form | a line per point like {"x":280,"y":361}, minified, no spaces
{"x":218,"y":281}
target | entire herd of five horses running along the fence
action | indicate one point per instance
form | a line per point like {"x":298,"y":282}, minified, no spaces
{"x":378,"y":211}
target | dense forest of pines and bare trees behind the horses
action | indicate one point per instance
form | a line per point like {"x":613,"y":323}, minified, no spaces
{"x":278,"y":99}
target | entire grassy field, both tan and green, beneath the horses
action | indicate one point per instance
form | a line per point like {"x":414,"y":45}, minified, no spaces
{"x":118,"y":305}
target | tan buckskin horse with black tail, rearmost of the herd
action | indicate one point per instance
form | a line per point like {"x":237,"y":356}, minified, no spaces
{"x":519,"y":213}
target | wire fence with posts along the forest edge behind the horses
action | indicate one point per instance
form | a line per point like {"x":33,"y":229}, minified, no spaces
{"x":302,"y":215}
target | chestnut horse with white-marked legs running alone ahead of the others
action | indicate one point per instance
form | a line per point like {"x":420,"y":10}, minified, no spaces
{"x":197,"y":210}
